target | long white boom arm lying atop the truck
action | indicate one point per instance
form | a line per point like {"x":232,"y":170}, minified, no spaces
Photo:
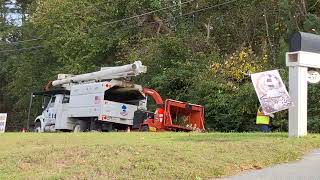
{"x":106,"y":73}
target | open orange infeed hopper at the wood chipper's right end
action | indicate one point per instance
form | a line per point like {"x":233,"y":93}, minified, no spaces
{"x":182,"y":116}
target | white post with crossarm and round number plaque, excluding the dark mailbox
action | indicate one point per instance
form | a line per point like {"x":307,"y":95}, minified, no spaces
{"x":298,"y":63}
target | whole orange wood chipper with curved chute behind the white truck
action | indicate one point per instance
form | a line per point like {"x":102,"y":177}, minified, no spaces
{"x":171,"y":115}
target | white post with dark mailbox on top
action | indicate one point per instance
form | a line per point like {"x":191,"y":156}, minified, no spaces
{"x":304,"y":53}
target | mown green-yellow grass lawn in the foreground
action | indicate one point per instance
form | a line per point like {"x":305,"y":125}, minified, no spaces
{"x":144,"y":155}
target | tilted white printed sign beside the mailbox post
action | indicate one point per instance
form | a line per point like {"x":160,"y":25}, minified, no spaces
{"x":272,"y":93}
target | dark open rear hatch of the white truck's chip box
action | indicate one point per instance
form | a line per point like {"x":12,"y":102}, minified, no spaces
{"x":124,"y":95}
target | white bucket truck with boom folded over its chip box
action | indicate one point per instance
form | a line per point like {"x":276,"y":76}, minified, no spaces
{"x":98,"y":101}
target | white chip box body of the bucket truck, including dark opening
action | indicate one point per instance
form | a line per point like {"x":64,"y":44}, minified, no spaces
{"x":113,"y":104}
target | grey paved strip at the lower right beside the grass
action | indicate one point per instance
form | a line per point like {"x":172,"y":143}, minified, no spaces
{"x":306,"y":169}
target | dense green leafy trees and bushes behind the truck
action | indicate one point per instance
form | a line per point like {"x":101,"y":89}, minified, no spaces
{"x":197,"y":56}
